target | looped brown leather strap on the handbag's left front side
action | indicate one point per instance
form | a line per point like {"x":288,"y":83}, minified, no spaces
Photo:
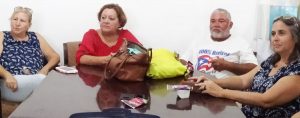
{"x":118,"y":68}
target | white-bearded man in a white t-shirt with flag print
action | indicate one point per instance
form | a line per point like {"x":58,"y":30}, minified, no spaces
{"x":222,"y":54}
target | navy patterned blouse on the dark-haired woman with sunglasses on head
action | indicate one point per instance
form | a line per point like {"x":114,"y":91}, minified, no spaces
{"x":262,"y":82}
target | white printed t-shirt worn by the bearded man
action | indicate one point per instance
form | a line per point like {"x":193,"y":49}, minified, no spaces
{"x":234,"y":49}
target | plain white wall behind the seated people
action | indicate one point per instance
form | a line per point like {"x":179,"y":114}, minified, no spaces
{"x":156,"y":23}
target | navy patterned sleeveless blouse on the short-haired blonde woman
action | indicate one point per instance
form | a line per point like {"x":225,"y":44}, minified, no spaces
{"x":21,"y":57}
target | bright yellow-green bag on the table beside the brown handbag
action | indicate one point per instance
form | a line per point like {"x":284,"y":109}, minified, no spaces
{"x":165,"y":65}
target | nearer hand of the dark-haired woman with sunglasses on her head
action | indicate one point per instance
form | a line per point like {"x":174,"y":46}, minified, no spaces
{"x":210,"y":88}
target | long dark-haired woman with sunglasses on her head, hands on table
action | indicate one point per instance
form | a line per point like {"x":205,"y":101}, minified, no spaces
{"x":272,"y":89}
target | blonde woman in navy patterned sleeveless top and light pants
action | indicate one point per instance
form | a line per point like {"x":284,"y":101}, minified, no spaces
{"x":25,"y":57}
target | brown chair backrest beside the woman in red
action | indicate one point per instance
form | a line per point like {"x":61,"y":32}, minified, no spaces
{"x":70,"y":49}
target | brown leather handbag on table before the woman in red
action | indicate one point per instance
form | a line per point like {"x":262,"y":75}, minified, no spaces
{"x":130,"y":63}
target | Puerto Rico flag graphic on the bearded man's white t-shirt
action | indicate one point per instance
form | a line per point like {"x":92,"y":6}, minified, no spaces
{"x":203,"y":63}
